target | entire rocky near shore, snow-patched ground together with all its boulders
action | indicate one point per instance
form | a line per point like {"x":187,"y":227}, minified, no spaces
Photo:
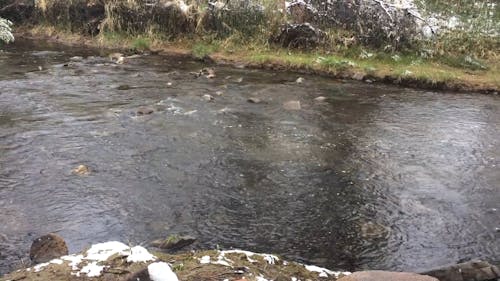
{"x":114,"y":260}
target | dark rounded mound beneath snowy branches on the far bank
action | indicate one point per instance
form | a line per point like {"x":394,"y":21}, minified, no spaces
{"x":303,"y":36}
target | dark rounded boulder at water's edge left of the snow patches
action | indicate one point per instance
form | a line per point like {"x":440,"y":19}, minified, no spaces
{"x":48,"y":247}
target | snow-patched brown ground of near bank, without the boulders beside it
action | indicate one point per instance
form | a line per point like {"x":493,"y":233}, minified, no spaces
{"x":117,"y":261}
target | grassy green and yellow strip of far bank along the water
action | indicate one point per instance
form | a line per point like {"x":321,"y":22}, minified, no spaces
{"x":401,"y":70}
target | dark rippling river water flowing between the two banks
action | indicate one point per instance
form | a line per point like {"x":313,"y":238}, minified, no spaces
{"x":374,"y":177}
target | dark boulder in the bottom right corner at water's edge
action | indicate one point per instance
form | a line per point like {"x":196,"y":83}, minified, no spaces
{"x":474,"y":270}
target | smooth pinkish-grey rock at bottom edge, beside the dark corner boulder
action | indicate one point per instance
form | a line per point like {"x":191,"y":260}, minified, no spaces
{"x":375,"y":275}
